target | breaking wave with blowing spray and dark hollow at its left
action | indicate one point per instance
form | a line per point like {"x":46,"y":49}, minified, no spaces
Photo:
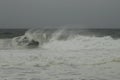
{"x":63,"y":39}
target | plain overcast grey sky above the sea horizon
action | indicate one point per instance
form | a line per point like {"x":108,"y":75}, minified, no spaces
{"x":28,"y":13}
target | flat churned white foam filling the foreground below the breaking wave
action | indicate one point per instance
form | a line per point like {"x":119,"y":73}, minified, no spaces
{"x":52,"y":64}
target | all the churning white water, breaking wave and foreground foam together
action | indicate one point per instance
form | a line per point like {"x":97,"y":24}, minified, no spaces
{"x":60,"y":54}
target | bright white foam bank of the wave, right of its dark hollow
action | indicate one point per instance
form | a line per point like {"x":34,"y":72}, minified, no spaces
{"x":84,"y":42}
